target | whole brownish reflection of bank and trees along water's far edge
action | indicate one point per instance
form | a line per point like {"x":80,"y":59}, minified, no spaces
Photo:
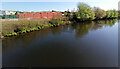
{"x":80,"y":30}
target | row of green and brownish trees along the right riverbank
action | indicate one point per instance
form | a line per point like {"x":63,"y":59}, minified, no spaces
{"x":85,"y":12}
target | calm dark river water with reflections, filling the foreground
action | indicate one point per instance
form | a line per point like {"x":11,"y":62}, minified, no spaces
{"x":85,"y":44}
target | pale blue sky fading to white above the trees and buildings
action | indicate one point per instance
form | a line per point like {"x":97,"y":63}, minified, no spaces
{"x":59,"y":5}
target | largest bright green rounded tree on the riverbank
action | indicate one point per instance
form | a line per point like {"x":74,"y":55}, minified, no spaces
{"x":85,"y":12}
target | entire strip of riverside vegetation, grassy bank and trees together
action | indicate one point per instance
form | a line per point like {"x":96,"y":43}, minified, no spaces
{"x":83,"y":13}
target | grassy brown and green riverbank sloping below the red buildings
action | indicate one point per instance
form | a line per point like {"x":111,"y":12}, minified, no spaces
{"x":13,"y":28}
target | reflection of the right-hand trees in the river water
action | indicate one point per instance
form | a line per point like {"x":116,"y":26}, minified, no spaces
{"x":83,"y":28}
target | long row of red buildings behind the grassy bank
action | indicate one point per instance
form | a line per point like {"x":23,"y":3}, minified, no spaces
{"x":43,"y":15}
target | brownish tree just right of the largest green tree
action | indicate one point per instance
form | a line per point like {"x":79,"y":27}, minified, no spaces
{"x":99,"y":13}
